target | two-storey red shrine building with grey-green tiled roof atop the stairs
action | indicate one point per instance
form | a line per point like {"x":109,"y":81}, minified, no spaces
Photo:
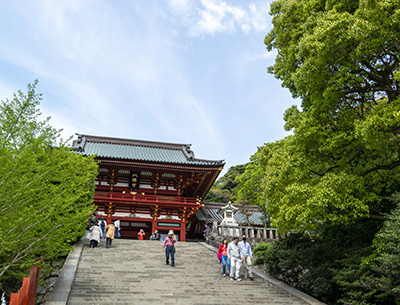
{"x":148,"y":185}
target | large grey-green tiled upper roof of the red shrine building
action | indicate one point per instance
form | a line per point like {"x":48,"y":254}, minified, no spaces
{"x":138,"y":150}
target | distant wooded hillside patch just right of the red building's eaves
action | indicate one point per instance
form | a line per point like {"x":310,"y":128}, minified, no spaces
{"x":223,"y":189}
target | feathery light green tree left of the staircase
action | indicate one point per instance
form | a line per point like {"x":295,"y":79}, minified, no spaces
{"x":46,"y":190}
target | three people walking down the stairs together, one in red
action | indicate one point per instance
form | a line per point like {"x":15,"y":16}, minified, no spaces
{"x":234,"y":255}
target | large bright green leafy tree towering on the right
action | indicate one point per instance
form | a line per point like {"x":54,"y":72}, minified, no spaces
{"x":342,"y":59}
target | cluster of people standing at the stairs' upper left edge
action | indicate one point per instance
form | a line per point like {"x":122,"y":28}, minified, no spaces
{"x":100,"y":229}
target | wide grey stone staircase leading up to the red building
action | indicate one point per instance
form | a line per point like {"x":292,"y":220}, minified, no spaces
{"x":134,"y":272}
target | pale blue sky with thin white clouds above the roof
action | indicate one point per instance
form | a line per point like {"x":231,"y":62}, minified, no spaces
{"x":181,"y":71}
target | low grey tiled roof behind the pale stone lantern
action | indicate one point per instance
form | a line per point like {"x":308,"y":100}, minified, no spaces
{"x":211,"y":211}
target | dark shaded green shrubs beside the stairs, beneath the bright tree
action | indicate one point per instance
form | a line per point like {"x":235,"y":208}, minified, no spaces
{"x":312,"y":261}
